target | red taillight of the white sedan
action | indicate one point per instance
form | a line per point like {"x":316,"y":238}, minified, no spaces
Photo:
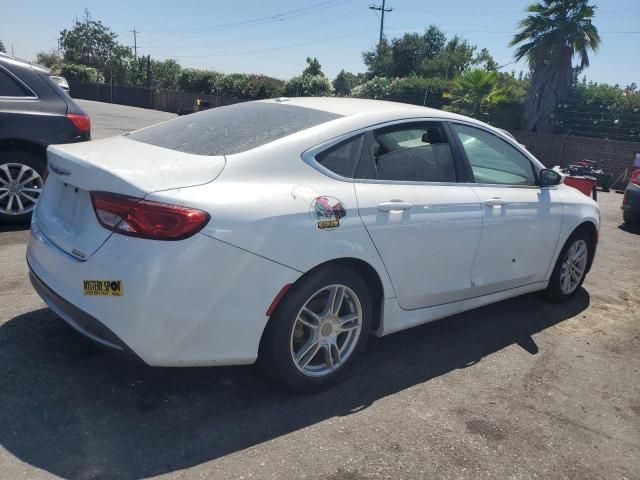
{"x":144,"y":219}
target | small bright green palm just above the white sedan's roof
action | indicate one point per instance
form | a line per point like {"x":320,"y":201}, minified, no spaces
{"x":476,"y":94}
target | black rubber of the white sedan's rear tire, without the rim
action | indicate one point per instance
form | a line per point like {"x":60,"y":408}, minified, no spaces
{"x":275,"y":356}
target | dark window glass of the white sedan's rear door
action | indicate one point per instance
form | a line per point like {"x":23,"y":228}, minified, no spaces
{"x":412,"y":152}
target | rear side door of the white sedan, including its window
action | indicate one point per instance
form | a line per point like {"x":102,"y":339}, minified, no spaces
{"x":423,"y":222}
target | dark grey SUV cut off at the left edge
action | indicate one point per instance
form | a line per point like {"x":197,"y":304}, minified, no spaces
{"x":34,"y":113}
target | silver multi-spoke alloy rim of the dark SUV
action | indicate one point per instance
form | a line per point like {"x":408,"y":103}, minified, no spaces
{"x":20,"y":188}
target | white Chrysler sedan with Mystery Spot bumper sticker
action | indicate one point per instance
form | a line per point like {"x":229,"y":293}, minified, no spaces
{"x":287,"y":231}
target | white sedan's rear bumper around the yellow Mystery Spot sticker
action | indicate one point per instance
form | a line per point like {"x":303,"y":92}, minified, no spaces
{"x":194,"y":302}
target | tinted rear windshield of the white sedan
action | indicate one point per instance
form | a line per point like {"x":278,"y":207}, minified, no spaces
{"x":232,"y":129}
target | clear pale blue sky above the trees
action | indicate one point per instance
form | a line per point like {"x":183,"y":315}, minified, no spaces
{"x":275,"y":37}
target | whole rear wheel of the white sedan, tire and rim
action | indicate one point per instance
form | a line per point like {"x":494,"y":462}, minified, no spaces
{"x":318,"y":330}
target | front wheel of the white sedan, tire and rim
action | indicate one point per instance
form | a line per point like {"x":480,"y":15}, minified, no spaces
{"x":571,"y":267}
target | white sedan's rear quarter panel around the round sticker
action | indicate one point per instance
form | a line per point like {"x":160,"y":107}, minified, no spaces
{"x":263,"y":202}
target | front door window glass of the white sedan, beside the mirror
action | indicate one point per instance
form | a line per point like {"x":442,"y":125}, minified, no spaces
{"x":492,"y":159}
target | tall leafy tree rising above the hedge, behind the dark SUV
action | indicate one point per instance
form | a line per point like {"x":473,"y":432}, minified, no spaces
{"x":93,"y":44}
